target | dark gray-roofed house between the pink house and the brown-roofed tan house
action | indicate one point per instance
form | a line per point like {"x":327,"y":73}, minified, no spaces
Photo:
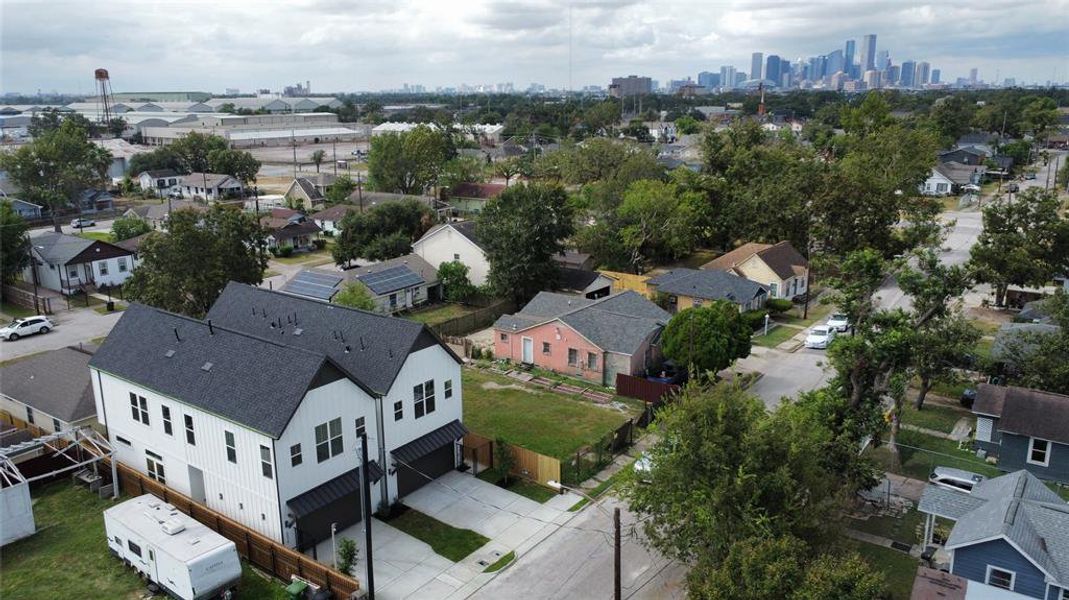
{"x":689,"y":287}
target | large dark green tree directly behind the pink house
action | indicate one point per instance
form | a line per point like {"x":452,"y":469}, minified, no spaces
{"x":521,"y":232}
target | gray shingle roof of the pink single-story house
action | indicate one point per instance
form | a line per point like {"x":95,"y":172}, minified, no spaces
{"x":617,"y":324}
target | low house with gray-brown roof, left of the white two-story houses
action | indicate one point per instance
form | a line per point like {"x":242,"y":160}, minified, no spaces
{"x":51,"y":390}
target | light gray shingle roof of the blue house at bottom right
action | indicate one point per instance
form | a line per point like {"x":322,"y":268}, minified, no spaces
{"x":1019,"y":507}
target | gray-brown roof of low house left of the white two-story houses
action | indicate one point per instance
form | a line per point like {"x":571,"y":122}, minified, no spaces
{"x":56,"y":382}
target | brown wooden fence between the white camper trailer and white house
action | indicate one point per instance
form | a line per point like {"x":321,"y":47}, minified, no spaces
{"x":259,"y":550}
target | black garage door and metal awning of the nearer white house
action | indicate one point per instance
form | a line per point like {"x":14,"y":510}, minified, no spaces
{"x":334,"y":502}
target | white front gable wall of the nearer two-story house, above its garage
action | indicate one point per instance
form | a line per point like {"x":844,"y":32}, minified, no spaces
{"x":340,"y":399}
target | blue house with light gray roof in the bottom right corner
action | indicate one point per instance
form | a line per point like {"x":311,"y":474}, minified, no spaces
{"x":1011,"y":537}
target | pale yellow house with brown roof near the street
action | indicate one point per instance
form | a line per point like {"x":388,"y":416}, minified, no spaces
{"x":779,"y":267}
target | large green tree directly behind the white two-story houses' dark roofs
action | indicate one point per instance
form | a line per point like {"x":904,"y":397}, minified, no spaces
{"x":185,"y":270}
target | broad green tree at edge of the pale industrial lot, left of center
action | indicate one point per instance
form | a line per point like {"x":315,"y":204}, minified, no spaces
{"x":408,"y":163}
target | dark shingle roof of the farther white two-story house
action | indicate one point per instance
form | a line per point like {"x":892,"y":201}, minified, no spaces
{"x":378,"y":345}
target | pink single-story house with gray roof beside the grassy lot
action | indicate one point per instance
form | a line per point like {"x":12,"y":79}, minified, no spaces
{"x":594,"y":340}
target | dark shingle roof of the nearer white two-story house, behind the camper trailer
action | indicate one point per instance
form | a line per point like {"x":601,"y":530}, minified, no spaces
{"x":242,"y":378}
